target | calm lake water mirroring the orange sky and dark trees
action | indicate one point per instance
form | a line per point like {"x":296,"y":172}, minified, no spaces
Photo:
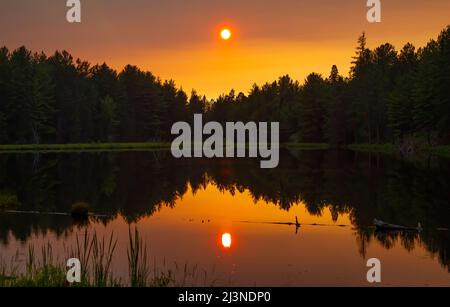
{"x":184,"y":208}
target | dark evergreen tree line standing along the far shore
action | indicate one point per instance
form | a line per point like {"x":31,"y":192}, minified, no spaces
{"x":389,"y":96}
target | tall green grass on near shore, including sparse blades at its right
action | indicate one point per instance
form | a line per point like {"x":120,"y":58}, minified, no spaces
{"x":96,"y":255}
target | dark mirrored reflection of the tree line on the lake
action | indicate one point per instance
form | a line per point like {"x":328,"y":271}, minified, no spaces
{"x":137,"y":184}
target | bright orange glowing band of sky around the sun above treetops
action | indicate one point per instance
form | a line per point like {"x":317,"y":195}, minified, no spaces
{"x":228,"y":58}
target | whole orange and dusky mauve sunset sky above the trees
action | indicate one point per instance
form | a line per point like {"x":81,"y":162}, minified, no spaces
{"x":180,"y":39}
